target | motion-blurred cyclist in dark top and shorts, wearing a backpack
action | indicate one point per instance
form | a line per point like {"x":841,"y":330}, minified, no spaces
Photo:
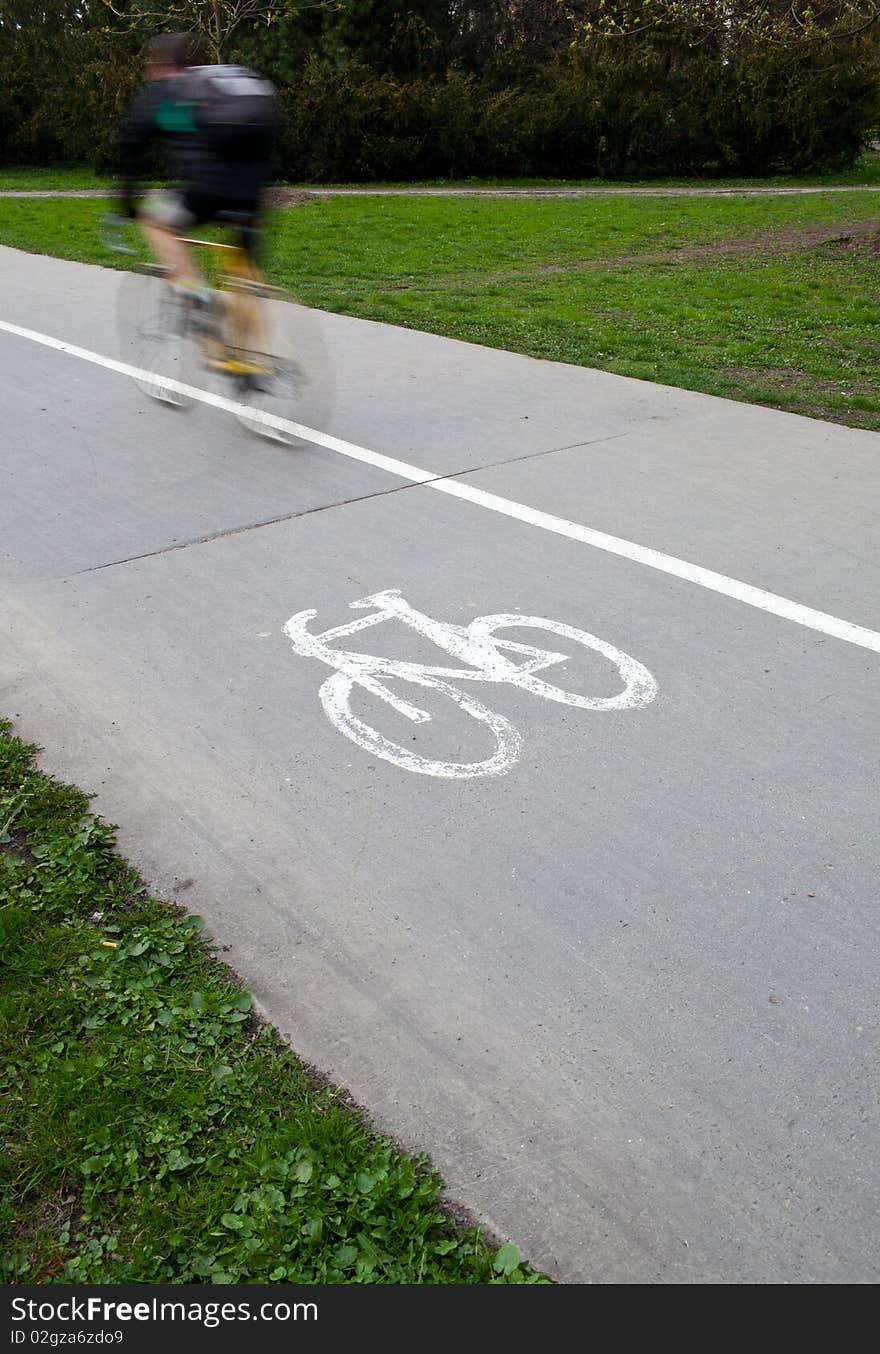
{"x":219,"y":125}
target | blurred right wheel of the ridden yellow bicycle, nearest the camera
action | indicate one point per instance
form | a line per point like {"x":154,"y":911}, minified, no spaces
{"x":285,"y":387}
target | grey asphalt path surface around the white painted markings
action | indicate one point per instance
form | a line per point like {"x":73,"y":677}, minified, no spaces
{"x":626,"y":995}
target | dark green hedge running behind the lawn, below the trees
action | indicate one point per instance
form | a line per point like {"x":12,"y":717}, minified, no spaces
{"x":604,"y":110}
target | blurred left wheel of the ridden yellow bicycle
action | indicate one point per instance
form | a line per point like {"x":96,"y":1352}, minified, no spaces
{"x":154,"y":335}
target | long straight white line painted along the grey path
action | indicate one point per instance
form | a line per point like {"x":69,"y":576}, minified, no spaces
{"x":772,"y":603}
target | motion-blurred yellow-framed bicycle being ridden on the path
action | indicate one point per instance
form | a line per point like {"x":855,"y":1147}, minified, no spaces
{"x":263,"y":350}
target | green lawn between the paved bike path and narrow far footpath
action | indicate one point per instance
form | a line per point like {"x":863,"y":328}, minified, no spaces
{"x":764,"y":300}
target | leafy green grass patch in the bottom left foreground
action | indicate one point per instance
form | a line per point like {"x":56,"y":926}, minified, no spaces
{"x":154,"y":1130}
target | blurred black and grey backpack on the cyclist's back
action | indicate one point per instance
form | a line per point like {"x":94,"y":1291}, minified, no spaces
{"x":236,"y":110}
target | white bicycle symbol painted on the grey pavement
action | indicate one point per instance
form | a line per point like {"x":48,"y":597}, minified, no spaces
{"x":491,"y":660}
